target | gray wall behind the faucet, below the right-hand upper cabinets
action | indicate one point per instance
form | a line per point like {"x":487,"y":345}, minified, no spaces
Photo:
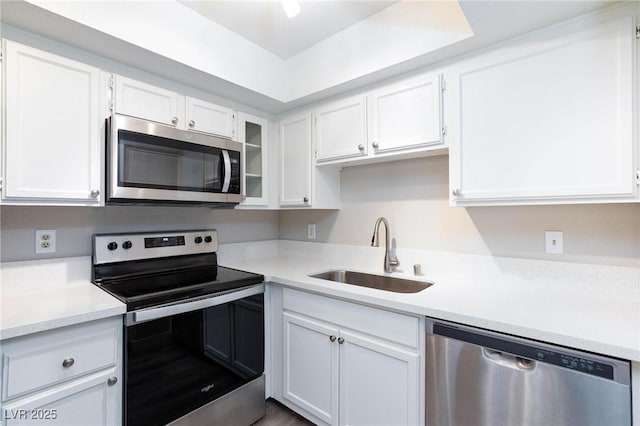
{"x":413,"y":195}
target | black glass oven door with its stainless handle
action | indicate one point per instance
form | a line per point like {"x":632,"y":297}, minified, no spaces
{"x":181,"y":358}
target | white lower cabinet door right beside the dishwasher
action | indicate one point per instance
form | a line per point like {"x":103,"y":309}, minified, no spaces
{"x":379,"y":382}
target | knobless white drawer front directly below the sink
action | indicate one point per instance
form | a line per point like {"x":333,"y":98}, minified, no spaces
{"x":392,"y":326}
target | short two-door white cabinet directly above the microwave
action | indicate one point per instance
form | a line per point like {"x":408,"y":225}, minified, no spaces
{"x":142,"y":100}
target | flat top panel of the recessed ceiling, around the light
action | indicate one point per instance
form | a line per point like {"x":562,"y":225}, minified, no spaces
{"x":266,"y":24}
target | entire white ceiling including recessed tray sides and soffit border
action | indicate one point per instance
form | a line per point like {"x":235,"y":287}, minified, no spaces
{"x":248,"y":52}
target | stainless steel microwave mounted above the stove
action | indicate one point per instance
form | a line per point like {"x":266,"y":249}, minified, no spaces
{"x":149,"y":163}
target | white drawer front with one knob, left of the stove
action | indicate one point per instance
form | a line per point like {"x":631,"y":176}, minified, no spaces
{"x":45,"y":359}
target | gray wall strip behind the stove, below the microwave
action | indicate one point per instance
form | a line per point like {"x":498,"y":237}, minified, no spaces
{"x":75,"y":225}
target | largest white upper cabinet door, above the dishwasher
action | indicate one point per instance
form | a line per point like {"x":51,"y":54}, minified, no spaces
{"x":548,"y":118}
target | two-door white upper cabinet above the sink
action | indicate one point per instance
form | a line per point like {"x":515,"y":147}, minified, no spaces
{"x":399,"y":120}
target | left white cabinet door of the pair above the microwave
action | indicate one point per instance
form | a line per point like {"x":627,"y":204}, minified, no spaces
{"x":138,"y":99}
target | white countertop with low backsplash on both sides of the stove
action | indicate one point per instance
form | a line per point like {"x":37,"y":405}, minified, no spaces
{"x":590,"y":307}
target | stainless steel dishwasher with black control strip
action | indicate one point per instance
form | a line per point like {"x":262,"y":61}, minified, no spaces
{"x":477,"y":377}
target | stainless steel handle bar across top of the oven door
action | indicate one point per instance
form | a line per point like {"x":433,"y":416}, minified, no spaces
{"x":180,"y":308}
